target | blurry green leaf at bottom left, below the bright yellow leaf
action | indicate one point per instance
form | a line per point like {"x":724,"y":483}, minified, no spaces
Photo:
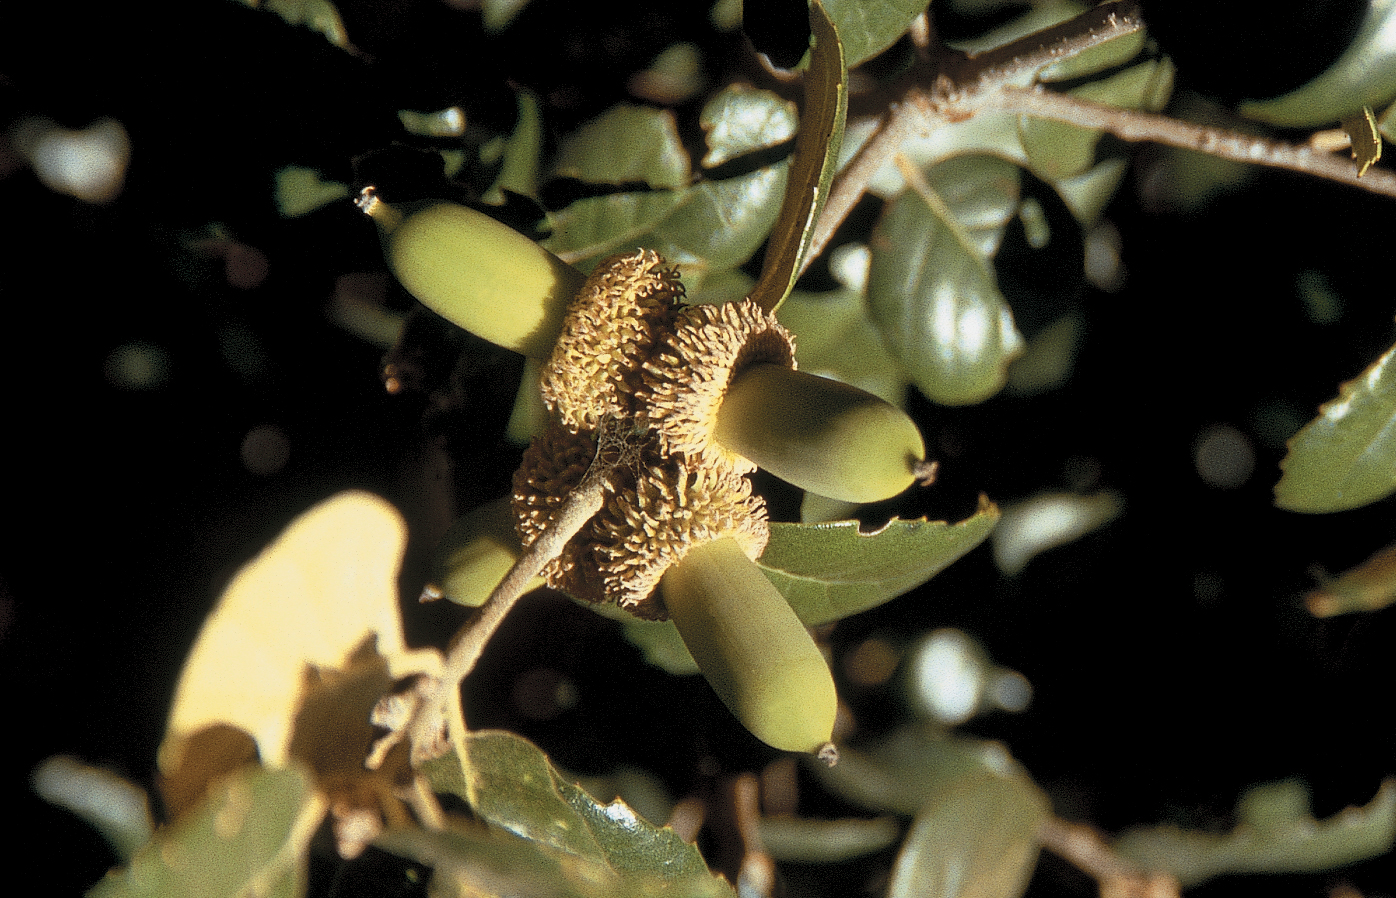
{"x":241,"y":841}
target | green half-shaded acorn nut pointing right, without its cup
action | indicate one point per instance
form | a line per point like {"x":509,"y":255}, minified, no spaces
{"x":820,"y":435}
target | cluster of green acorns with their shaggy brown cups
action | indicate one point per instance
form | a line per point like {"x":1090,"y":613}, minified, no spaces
{"x":679,"y":403}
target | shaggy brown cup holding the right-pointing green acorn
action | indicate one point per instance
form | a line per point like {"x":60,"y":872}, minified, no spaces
{"x":690,"y":371}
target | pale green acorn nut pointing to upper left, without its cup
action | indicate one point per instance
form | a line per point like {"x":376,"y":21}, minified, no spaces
{"x":475,"y":272}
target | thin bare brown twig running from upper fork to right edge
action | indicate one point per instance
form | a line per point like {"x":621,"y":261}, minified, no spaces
{"x":1143,"y":126}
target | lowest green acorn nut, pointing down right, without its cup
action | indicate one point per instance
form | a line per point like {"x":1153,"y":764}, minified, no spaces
{"x":752,"y":649}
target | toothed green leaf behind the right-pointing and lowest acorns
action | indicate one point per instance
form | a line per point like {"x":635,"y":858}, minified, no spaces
{"x":833,"y":571}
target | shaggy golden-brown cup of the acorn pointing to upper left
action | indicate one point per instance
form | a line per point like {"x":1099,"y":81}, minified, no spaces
{"x":612,"y":327}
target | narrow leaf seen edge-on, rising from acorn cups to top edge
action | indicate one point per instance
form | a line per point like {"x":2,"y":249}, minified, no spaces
{"x":813,"y":164}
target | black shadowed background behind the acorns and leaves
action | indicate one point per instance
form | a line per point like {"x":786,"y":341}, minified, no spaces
{"x":1171,"y":654}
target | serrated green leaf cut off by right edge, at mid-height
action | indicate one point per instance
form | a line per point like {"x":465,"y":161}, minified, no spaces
{"x":1346,"y":457}
